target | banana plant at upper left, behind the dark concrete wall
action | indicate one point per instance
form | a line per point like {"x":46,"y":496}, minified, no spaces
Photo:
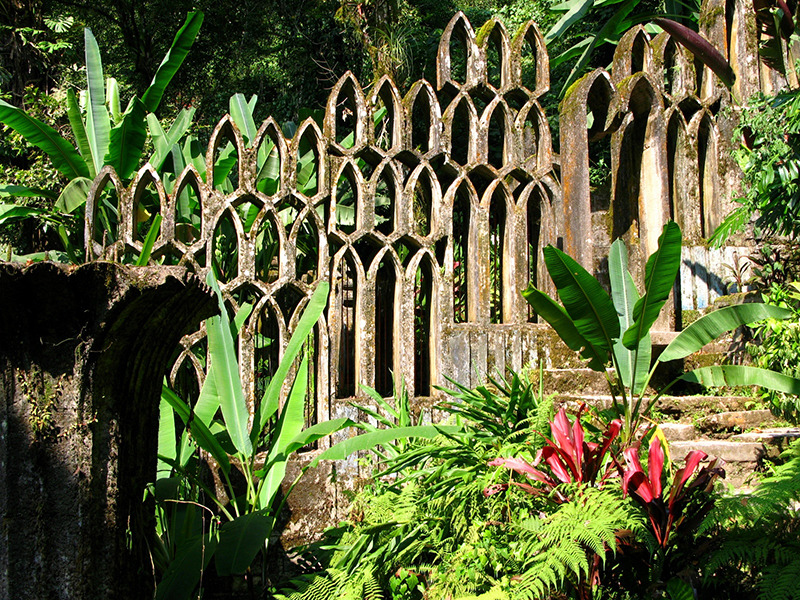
{"x":104,"y":134}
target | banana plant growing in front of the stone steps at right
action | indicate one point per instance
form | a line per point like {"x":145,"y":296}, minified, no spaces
{"x":613,"y":331}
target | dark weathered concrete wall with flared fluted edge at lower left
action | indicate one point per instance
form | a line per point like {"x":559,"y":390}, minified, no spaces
{"x":82,"y":355}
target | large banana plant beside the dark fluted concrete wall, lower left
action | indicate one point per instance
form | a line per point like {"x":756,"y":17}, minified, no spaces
{"x":258,"y":447}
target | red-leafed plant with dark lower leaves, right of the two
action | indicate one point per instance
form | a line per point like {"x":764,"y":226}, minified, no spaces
{"x":667,"y":514}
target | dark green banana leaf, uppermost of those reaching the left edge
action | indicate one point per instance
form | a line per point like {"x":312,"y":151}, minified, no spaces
{"x":63,"y":156}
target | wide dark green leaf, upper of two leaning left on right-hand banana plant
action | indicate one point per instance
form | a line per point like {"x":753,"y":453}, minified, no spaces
{"x":586,"y":302}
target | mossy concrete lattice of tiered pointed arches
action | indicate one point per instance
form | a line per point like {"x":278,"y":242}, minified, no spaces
{"x":427,"y":212}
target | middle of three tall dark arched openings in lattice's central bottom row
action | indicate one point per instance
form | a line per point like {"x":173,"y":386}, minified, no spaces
{"x":384,"y":327}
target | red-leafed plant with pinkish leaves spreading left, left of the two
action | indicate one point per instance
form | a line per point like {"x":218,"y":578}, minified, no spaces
{"x":568,"y":455}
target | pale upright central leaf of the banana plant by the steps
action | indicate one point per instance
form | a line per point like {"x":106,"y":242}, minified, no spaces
{"x":633,"y":366}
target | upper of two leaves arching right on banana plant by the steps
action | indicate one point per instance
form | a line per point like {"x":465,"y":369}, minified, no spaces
{"x":709,"y":327}
